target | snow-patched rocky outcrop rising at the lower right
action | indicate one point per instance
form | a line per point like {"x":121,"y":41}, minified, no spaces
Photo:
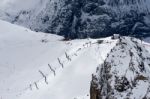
{"x":124,"y":73}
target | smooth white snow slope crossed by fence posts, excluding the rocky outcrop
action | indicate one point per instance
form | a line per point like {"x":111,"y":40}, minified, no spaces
{"x":37,"y":65}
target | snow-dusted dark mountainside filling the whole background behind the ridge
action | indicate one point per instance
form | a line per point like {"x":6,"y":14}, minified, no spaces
{"x":80,"y":18}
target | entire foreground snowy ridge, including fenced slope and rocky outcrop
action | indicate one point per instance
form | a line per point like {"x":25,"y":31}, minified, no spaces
{"x":42,"y":66}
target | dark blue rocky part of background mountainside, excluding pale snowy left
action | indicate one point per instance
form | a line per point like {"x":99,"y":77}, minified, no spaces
{"x":100,"y":18}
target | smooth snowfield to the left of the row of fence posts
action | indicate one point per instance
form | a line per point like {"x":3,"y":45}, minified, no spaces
{"x":22,"y":54}
